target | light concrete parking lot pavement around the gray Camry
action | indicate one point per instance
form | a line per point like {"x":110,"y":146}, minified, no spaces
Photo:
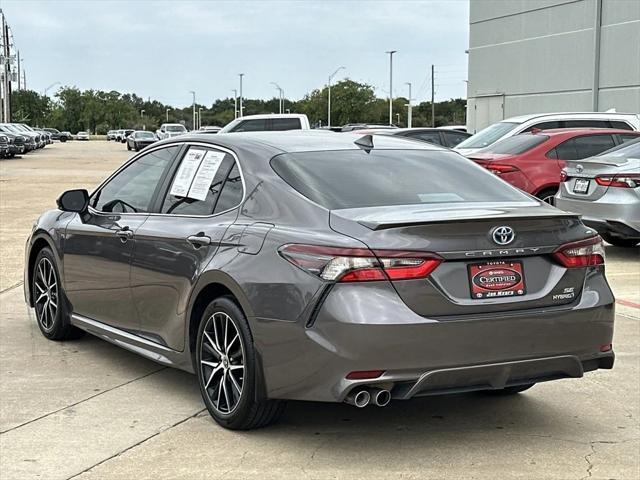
{"x":86,"y":409}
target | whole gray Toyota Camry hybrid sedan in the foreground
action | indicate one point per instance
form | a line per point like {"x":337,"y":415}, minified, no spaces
{"x":325,"y":267}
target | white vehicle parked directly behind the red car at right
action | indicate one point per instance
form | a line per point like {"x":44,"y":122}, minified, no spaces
{"x":546,"y":121}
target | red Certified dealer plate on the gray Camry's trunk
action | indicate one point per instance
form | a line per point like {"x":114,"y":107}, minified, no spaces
{"x":496,"y":279}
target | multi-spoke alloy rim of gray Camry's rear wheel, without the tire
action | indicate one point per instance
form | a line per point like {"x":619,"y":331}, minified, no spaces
{"x":222,"y":362}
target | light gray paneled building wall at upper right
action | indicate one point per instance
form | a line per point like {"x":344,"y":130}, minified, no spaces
{"x":535,"y":56}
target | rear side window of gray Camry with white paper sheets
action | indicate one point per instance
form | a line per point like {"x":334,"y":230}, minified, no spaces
{"x":198,"y":182}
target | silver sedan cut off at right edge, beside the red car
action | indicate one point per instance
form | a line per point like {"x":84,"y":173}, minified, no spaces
{"x":605,"y":190}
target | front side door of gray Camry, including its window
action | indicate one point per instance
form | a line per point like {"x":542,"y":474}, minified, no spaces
{"x":99,"y":245}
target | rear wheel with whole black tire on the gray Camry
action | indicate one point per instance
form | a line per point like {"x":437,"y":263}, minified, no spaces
{"x":246,"y":410}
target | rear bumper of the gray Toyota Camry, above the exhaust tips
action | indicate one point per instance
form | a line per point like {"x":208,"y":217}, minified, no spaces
{"x":370,"y":328}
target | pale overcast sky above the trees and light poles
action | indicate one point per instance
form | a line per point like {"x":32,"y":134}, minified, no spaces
{"x":165,"y":49}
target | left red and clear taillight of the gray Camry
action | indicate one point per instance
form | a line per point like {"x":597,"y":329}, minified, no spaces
{"x":337,"y":264}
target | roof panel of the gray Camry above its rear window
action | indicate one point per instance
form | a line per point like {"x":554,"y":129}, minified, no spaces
{"x":295,"y":141}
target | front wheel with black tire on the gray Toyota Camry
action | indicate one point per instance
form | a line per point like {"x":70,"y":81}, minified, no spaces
{"x":54,"y":323}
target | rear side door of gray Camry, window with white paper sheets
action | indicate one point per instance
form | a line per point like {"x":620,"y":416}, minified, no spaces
{"x":200,"y":201}
